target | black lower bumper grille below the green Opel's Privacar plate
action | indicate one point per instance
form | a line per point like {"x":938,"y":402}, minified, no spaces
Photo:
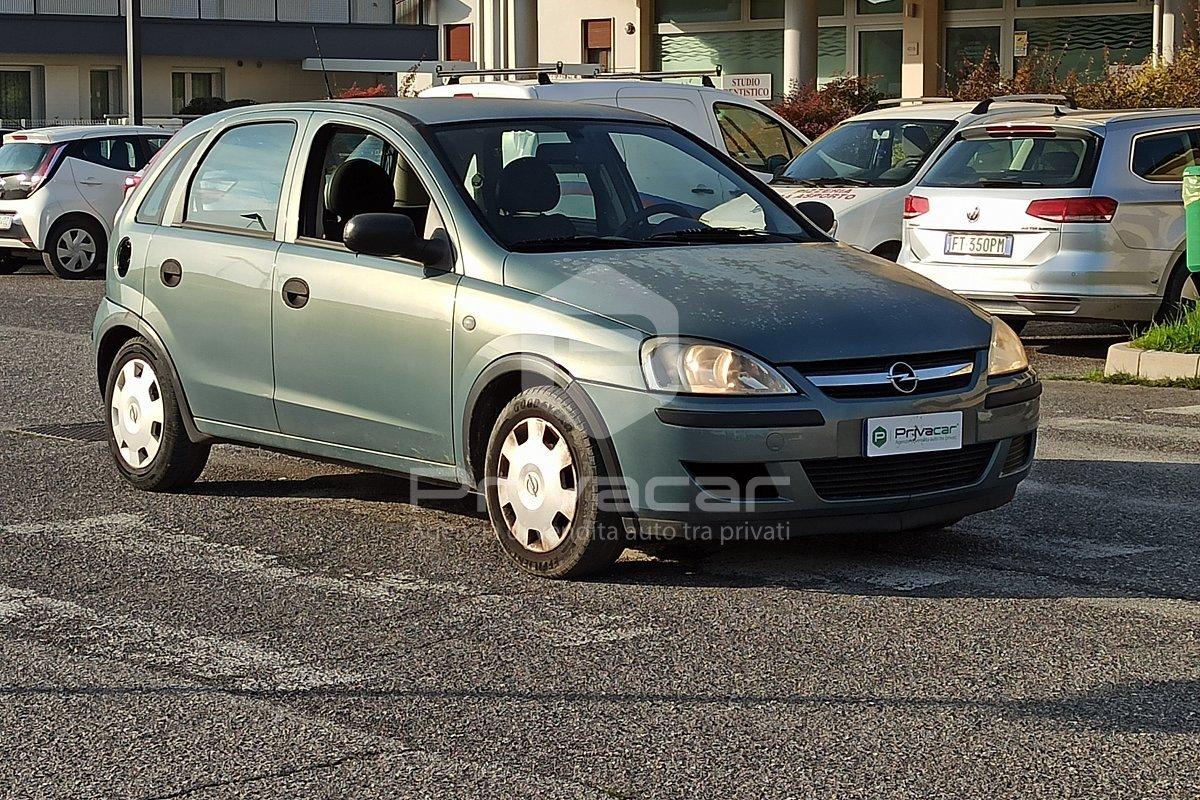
{"x":861,"y":478}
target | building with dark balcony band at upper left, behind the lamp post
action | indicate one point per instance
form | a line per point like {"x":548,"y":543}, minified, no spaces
{"x":64,"y":61}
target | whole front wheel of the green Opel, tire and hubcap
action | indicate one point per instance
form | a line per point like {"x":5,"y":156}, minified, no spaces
{"x":542,"y":489}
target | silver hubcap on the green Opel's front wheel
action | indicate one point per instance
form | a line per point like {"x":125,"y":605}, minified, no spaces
{"x":537,"y":485}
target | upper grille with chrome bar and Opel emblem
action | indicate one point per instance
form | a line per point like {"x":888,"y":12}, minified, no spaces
{"x":868,"y":378}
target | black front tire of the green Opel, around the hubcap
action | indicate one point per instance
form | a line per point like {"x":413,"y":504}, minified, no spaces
{"x":593,"y":540}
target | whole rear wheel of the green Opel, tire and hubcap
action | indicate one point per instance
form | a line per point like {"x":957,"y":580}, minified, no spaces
{"x":146,"y":428}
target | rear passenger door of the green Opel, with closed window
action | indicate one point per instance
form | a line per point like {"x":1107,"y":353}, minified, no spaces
{"x":208,"y":286}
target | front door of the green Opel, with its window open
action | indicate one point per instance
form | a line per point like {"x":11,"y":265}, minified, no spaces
{"x":363,"y":357}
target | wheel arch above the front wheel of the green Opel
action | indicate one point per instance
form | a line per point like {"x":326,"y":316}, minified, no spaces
{"x":505,"y":380}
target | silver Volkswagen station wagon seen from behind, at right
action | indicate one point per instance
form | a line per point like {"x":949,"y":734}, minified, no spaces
{"x":1060,"y":216}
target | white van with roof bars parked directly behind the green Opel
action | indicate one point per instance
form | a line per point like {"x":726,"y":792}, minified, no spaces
{"x":757,"y":137}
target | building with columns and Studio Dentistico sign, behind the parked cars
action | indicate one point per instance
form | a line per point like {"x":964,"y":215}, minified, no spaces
{"x":909,"y":47}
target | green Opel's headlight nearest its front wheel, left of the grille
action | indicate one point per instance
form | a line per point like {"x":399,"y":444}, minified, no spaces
{"x":698,"y":368}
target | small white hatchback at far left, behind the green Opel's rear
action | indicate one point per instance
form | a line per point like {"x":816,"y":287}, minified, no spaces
{"x":61,"y":189}
